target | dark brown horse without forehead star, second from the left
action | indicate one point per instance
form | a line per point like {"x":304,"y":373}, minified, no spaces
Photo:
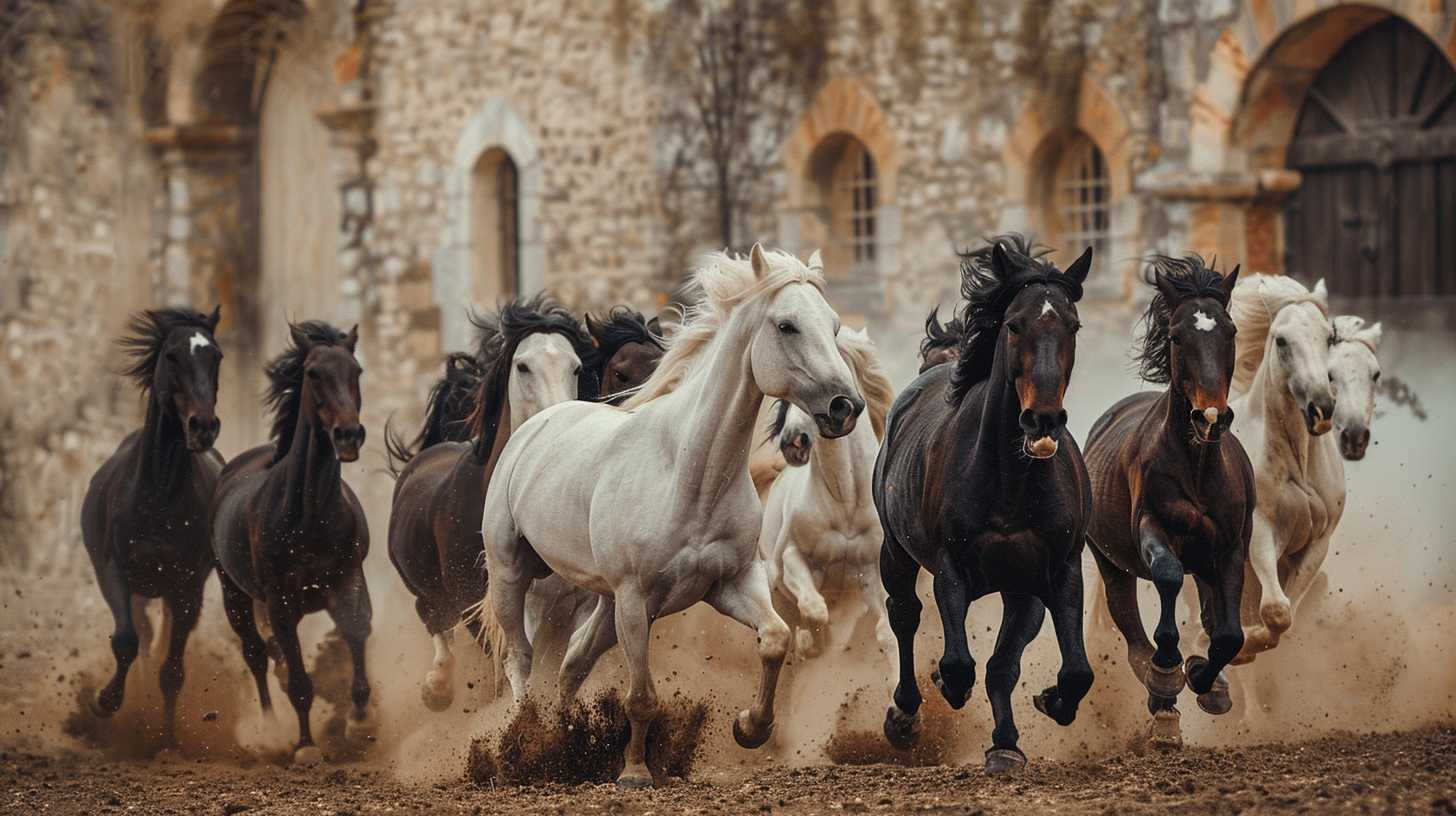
{"x":288,"y":530}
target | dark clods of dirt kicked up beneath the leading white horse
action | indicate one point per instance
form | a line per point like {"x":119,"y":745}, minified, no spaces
{"x":585,"y":742}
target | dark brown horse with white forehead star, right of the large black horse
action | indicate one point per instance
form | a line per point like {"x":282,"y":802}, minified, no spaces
{"x":1174,"y":492}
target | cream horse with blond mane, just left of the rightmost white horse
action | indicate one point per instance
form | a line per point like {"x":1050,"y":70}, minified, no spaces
{"x":1283,"y":420}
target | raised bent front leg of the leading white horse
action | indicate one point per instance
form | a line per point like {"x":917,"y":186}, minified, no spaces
{"x":746,"y":600}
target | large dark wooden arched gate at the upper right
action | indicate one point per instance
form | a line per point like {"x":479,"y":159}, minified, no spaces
{"x":1377,"y":146}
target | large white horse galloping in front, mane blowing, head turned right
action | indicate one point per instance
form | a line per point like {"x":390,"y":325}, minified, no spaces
{"x":650,"y":506}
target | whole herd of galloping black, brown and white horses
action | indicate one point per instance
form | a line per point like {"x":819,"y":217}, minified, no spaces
{"x":577,"y":480}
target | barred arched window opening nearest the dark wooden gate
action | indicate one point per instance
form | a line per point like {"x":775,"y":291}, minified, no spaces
{"x":1083,"y":200}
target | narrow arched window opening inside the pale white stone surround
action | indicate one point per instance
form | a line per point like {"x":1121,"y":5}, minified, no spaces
{"x":496,"y":244}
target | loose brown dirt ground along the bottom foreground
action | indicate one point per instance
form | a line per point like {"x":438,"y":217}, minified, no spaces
{"x":1398,"y":773}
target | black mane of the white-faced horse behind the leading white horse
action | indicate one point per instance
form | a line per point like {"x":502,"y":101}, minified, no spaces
{"x":500,"y":334}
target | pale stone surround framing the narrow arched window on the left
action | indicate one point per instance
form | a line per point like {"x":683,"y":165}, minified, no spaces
{"x":496,"y":126}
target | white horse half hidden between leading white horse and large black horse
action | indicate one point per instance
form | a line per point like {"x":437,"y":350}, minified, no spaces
{"x":820,"y":531}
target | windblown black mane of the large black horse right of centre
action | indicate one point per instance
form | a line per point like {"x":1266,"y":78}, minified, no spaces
{"x":988,"y":298}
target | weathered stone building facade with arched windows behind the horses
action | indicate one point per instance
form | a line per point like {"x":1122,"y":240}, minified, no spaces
{"x":389,"y":162}
